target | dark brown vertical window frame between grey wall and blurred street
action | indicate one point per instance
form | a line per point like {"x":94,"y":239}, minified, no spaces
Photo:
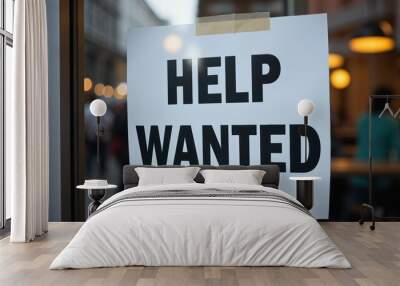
{"x":71,"y":109}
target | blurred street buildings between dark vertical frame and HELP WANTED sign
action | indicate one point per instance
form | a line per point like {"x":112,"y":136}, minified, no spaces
{"x":106,"y":27}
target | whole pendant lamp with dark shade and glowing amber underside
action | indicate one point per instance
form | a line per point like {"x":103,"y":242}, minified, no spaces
{"x":371,"y":39}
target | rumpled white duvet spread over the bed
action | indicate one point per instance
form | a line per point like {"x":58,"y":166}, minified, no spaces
{"x":192,"y":231}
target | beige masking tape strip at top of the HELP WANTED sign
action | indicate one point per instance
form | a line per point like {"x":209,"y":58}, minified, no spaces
{"x":233,"y":23}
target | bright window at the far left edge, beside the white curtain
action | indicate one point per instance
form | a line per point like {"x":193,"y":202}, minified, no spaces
{"x":6,"y":44}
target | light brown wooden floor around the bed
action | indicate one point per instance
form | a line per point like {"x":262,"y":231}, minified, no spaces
{"x":375,"y":257}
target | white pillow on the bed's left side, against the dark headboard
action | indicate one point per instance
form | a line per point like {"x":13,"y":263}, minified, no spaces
{"x":165,"y":176}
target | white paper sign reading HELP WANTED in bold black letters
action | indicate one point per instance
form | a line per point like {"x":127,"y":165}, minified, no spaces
{"x":232,"y":98}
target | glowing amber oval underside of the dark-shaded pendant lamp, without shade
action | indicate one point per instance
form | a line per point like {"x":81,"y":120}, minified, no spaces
{"x":372,"y":44}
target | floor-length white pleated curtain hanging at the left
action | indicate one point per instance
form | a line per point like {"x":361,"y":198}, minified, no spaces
{"x":27,"y":123}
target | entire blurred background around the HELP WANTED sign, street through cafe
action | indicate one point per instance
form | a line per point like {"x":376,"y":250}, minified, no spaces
{"x":364,"y":41}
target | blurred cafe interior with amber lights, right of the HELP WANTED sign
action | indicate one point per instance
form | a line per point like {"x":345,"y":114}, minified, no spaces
{"x":362,"y":41}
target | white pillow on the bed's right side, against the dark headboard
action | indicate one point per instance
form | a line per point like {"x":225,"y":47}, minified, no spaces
{"x":248,"y":177}
